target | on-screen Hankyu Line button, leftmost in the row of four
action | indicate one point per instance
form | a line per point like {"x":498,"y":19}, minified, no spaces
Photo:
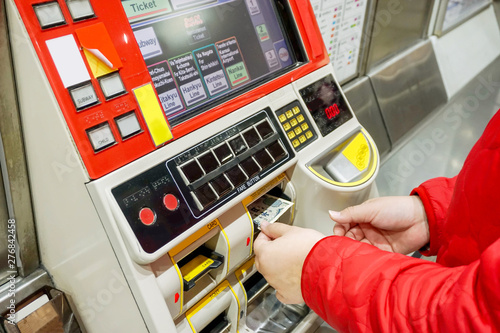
{"x":164,"y":83}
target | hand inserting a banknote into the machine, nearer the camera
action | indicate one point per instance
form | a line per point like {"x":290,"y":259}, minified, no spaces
{"x":280,"y":252}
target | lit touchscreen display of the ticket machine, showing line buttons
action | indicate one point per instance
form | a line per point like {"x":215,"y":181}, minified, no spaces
{"x":202,"y":52}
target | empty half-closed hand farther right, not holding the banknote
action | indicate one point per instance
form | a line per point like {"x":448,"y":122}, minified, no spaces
{"x":395,"y":224}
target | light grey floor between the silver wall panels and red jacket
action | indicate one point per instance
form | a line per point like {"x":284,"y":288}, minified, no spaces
{"x":440,"y":144}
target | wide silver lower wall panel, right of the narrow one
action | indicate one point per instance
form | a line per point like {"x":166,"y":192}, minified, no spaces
{"x":408,"y":88}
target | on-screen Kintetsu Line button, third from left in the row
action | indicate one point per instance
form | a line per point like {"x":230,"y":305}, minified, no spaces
{"x":211,"y":70}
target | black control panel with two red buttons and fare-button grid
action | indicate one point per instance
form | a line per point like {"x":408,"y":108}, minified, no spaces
{"x":169,"y":198}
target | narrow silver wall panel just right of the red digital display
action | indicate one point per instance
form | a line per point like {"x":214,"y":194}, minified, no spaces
{"x":360,"y":95}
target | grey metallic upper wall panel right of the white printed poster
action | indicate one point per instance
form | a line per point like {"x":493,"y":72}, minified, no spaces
{"x":397,"y":25}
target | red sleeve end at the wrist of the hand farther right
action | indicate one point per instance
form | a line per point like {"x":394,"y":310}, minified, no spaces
{"x":436,"y":196}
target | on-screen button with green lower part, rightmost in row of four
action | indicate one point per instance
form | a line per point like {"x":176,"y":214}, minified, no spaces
{"x":231,"y":57}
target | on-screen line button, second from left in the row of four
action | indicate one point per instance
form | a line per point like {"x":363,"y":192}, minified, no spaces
{"x":188,"y":78}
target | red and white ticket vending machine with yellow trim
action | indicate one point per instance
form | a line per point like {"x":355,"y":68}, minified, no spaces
{"x":153,"y":129}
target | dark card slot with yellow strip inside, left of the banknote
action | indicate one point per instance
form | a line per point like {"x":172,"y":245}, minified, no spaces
{"x":197,"y":264}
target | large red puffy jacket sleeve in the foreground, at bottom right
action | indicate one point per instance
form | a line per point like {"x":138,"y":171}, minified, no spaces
{"x":356,"y":287}
